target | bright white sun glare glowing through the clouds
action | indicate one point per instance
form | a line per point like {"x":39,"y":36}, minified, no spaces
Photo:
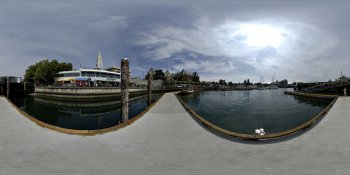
{"x":260,"y":35}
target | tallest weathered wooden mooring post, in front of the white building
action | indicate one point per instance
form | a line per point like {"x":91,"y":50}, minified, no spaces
{"x":124,"y":88}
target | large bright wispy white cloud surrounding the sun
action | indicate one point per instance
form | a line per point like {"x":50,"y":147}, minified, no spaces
{"x":287,"y":44}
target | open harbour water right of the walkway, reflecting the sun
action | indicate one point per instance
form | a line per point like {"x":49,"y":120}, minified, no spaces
{"x":245,"y":111}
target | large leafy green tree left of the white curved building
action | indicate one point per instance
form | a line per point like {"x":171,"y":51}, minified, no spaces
{"x":45,"y":71}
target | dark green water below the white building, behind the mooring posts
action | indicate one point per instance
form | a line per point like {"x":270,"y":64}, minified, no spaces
{"x":80,"y":115}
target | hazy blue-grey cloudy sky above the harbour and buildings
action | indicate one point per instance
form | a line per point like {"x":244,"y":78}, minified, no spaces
{"x":297,"y":40}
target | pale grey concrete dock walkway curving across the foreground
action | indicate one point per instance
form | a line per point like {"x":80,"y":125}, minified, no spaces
{"x":167,"y":141}
